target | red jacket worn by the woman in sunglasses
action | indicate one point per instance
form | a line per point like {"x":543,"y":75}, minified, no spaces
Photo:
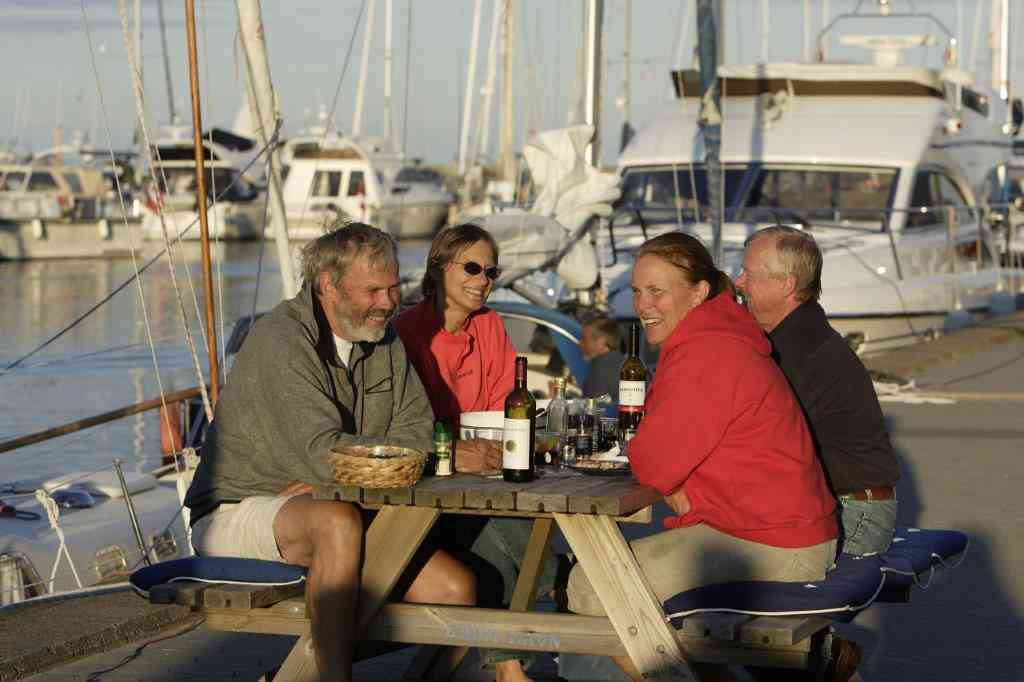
{"x":465,"y":372}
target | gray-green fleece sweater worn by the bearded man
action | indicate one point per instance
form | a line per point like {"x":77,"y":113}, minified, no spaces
{"x":289,"y":401}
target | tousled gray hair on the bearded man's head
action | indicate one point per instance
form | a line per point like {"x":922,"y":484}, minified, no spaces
{"x":333,"y":252}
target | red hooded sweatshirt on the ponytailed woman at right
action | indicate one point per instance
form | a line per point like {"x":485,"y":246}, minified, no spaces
{"x":722,"y":421}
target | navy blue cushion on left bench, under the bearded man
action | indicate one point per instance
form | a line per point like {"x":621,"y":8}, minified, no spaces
{"x":218,"y":570}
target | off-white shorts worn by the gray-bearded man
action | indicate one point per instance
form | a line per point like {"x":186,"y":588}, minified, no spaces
{"x":244,"y":530}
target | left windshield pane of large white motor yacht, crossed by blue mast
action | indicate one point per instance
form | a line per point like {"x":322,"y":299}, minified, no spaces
{"x":675,"y":191}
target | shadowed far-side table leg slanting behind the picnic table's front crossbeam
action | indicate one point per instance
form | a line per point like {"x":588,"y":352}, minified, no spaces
{"x":440,"y":663}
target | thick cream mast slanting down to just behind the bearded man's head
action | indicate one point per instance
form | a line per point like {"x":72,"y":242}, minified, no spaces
{"x":264,"y":107}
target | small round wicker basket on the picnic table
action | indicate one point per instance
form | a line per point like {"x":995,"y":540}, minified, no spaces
{"x":377,"y":466}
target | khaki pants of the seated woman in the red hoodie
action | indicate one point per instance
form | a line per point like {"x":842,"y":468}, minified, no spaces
{"x":681,"y":560}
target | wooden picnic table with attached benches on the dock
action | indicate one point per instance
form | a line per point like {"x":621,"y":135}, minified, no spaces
{"x":588,"y":510}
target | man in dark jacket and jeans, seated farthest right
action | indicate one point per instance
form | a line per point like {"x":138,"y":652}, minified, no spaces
{"x":782,"y":282}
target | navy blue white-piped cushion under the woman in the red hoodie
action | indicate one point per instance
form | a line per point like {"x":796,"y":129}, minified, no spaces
{"x":852,"y":586}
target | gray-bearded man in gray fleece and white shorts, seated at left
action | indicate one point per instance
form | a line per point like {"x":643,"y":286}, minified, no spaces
{"x":321,"y":371}
